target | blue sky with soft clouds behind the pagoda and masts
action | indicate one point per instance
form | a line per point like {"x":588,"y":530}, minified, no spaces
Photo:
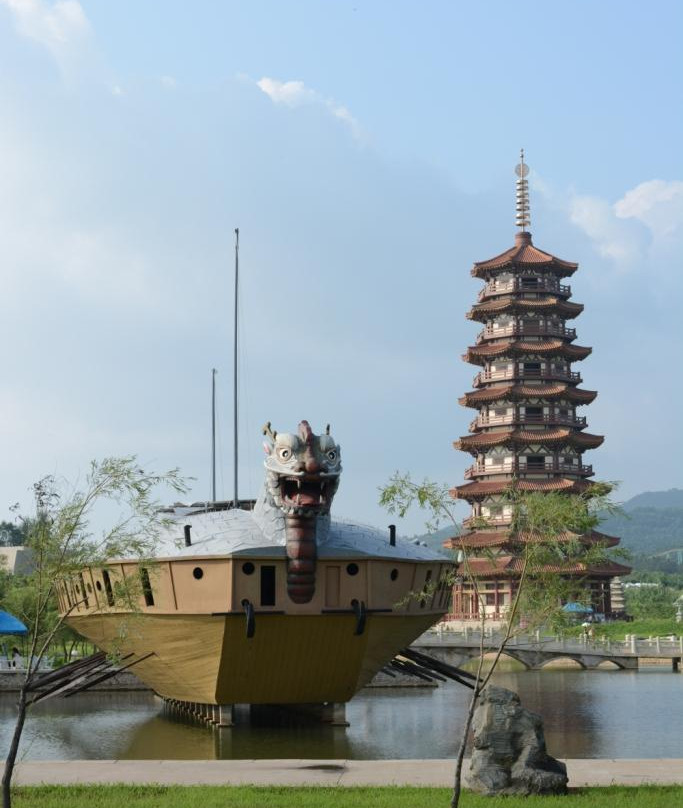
{"x":366,"y":151}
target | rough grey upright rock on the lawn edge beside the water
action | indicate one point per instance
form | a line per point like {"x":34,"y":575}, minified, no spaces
{"x":509,"y":755}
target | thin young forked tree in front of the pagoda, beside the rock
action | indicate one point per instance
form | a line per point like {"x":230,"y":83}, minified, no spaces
{"x":546,"y":532}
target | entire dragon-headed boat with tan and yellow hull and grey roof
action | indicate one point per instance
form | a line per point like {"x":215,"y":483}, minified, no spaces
{"x":272,"y":602}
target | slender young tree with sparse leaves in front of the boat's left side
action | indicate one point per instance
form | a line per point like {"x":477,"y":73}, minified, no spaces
{"x":63,"y":542}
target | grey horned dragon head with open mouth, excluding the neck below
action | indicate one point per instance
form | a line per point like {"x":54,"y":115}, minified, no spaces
{"x":302,"y":470}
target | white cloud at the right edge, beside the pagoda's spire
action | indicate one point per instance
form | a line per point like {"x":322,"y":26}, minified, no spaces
{"x":645,"y":222}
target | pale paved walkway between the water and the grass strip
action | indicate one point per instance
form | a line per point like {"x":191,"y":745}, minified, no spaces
{"x":321,"y":772}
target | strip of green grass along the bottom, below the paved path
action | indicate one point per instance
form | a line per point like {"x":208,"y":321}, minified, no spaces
{"x":314,"y":797}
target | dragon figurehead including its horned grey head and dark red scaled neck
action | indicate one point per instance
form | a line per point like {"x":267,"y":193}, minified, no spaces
{"x":302,"y":477}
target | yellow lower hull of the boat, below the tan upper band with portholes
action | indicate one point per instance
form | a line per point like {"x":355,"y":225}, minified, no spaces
{"x":290,"y":659}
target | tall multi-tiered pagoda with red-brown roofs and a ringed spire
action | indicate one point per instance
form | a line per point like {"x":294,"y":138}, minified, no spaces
{"x":527,"y":429}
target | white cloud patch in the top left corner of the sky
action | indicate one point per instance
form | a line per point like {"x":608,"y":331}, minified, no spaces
{"x":61,"y":27}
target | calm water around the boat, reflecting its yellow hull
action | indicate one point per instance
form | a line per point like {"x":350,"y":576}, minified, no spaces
{"x":596,"y":714}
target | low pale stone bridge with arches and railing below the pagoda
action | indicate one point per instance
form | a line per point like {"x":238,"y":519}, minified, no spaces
{"x":534,"y":651}
